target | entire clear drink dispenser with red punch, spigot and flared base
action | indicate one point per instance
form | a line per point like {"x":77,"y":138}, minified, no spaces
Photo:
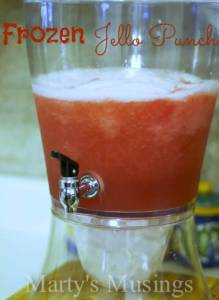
{"x":124,"y":102}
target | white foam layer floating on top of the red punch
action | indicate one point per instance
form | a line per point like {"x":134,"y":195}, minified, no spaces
{"x":121,"y":84}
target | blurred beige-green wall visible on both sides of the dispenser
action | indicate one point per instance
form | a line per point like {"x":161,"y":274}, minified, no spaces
{"x":21,"y":150}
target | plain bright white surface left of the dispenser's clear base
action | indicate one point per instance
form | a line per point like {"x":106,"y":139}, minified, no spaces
{"x":24,"y":229}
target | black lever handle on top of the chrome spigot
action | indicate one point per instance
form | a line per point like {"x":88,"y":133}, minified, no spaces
{"x":69,"y":167}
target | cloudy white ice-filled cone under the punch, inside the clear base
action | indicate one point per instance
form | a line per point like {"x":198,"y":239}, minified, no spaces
{"x":121,"y":257}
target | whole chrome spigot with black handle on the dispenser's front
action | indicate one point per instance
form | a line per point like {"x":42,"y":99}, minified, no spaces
{"x":71,"y":187}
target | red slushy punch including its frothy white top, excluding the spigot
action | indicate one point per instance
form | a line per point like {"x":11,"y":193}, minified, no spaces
{"x":147,"y":150}
